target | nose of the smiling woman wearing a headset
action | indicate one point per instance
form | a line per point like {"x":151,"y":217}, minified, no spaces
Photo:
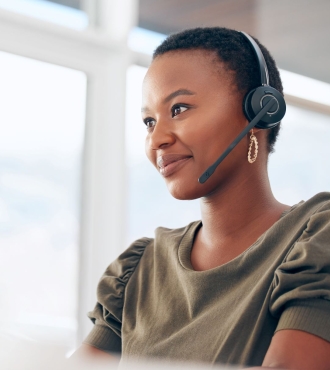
{"x":161,"y":136}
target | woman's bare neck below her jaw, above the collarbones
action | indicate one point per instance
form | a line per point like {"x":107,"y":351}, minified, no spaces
{"x":239,"y":212}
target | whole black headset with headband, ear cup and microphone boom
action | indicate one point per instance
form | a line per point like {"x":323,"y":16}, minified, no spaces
{"x":264,"y":107}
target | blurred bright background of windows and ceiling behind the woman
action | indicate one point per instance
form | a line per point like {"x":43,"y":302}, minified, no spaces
{"x":75,"y":186}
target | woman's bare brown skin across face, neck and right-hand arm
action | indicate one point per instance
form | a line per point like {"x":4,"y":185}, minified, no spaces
{"x":237,"y":204}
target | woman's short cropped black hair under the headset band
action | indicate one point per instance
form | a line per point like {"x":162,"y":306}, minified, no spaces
{"x":232,"y":49}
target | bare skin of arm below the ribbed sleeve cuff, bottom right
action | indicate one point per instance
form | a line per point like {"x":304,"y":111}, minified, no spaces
{"x":299,"y":350}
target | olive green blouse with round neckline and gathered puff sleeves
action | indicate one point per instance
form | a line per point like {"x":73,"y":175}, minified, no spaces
{"x":151,"y":303}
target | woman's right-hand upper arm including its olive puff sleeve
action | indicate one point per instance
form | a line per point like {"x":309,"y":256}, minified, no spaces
{"x":301,"y":300}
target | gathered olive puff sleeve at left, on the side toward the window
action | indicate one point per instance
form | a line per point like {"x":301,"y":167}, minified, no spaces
{"x":107,"y":314}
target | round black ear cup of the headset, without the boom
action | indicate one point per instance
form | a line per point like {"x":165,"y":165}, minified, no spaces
{"x":256,"y":99}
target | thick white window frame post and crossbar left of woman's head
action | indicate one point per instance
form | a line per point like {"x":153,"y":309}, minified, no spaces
{"x":101,"y":52}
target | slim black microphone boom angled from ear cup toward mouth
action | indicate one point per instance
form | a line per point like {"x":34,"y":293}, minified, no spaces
{"x":207,"y":174}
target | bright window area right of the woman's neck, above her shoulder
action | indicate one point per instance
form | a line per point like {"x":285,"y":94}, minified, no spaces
{"x":299,"y":167}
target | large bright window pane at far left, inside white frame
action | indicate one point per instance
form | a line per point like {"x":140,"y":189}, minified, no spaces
{"x":42,"y":119}
